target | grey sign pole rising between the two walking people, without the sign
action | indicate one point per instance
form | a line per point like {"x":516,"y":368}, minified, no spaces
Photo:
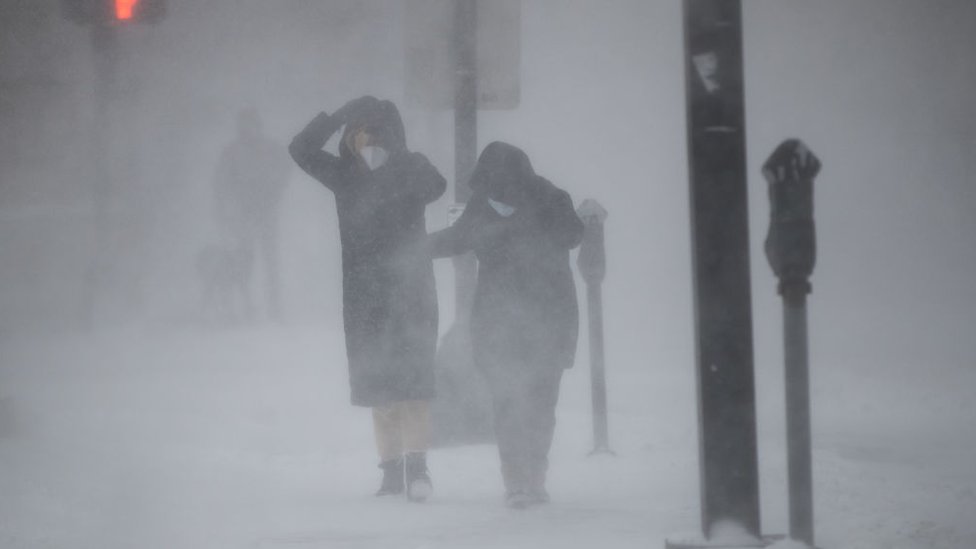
{"x":465,"y":137}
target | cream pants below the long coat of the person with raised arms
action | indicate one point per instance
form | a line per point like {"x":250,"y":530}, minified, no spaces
{"x":401,"y":427}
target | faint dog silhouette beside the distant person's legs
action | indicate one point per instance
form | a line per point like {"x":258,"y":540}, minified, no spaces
{"x":225,"y":277}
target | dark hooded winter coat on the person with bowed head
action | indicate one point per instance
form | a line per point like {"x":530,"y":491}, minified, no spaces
{"x":524,"y":312}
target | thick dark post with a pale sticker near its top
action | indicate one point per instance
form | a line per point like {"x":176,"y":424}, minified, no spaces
{"x":720,"y":241}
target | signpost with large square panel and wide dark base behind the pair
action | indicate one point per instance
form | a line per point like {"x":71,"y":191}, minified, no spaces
{"x":462,"y":55}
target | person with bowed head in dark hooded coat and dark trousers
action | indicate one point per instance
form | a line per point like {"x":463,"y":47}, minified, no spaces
{"x":524,"y":319}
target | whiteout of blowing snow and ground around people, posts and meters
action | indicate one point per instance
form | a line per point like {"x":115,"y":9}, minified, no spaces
{"x":130,"y":415}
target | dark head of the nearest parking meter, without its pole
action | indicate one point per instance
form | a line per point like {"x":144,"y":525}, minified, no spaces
{"x":791,"y":246}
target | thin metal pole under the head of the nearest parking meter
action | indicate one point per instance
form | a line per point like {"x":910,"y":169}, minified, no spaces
{"x":798,"y":416}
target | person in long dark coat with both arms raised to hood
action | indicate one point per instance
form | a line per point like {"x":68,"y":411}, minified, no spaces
{"x":389,"y":301}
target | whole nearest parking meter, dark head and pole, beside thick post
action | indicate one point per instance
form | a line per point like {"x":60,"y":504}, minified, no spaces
{"x":792,"y":252}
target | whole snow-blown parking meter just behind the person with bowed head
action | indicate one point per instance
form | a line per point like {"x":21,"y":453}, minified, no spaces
{"x":592,"y":263}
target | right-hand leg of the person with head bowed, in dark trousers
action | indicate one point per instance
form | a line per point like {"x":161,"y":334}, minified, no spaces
{"x":542,"y":397}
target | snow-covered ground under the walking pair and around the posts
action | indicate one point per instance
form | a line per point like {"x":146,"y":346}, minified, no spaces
{"x":244,"y":438}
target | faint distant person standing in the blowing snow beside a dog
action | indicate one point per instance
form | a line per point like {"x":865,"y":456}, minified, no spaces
{"x":250,"y":182}
